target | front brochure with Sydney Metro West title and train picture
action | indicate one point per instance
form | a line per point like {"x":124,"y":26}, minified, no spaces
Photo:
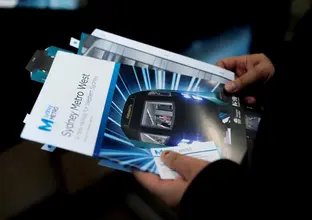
{"x":130,"y":114}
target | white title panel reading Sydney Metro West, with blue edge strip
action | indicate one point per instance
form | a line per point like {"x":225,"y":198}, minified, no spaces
{"x":71,"y":104}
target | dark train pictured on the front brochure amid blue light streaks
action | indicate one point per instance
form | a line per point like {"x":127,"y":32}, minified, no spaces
{"x":156,"y":118}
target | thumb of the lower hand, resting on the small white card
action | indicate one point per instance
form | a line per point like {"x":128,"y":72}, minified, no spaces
{"x":187,"y":167}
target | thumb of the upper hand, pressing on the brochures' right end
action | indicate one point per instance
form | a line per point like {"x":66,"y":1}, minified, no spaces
{"x":251,"y":76}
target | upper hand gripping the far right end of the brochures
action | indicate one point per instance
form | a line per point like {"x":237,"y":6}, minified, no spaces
{"x":248,"y":69}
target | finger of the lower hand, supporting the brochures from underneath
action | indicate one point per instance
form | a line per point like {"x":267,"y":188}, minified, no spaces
{"x":148,"y":180}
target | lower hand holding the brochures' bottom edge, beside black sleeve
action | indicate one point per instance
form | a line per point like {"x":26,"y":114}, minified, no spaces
{"x":171,"y":191}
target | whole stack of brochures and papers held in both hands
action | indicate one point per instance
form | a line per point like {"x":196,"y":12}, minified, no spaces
{"x":126,"y":102}
